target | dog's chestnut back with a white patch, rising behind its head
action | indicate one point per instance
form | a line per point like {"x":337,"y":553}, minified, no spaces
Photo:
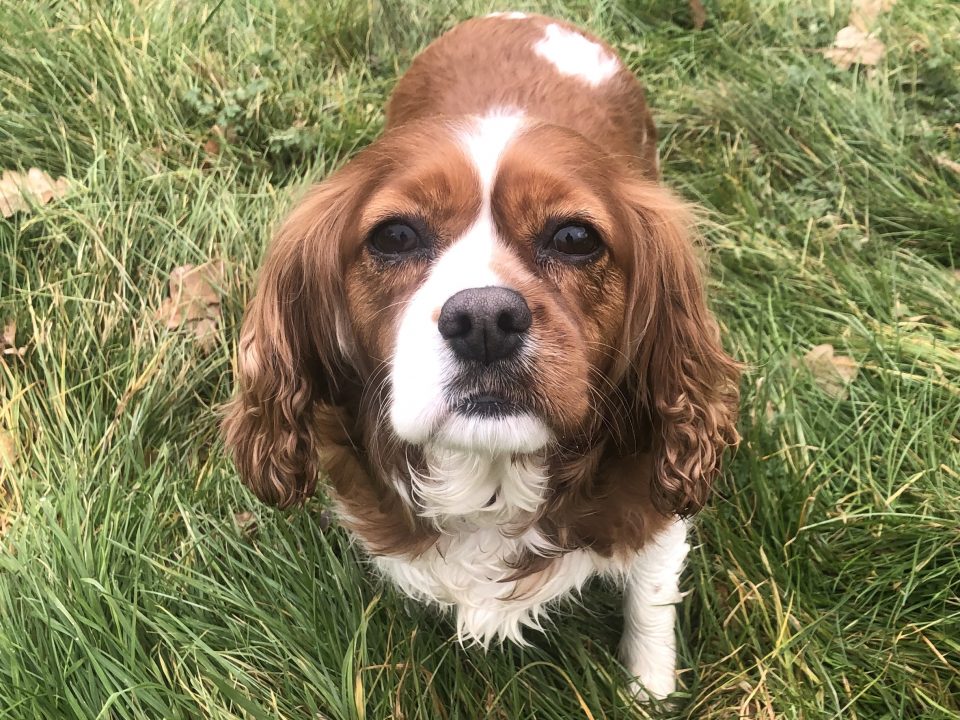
{"x":550,"y":69}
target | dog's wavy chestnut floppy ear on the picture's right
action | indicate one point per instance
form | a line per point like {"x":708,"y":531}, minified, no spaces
{"x":685,"y":387}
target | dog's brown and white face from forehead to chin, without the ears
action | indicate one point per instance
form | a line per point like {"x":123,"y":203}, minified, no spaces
{"x":507,"y":272}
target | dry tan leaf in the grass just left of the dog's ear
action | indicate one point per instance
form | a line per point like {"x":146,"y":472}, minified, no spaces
{"x":194,"y":301}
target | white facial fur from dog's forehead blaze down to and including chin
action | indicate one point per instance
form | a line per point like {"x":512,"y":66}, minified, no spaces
{"x":422,"y":363}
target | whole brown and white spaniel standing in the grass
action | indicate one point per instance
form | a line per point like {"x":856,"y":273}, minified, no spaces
{"x":488,"y":331}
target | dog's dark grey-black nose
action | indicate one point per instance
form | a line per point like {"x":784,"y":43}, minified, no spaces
{"x":485,"y":324}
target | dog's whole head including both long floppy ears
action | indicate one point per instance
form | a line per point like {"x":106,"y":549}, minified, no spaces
{"x":490,"y":287}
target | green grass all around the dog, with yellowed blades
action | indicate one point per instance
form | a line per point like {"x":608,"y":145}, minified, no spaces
{"x":826,"y":574}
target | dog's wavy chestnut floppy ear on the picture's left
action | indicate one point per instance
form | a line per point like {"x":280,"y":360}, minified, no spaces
{"x":295,"y":346}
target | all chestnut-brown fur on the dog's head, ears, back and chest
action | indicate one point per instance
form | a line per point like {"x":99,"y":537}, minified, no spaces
{"x":630,"y":374}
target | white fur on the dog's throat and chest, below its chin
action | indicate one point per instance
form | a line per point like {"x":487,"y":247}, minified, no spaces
{"x":482,"y":504}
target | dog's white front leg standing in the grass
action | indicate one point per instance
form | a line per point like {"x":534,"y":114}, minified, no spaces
{"x":648,"y":648}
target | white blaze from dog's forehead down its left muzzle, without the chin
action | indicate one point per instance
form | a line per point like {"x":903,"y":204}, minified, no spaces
{"x":422,"y":362}
